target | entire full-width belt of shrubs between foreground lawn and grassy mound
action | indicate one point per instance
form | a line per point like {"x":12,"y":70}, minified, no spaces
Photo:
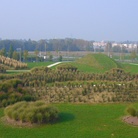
{"x":67,"y":84}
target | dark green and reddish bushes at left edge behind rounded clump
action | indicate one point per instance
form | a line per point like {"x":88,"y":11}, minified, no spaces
{"x":12,"y":91}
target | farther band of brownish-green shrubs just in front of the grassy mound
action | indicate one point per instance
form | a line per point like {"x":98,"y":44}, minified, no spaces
{"x":42,"y":76}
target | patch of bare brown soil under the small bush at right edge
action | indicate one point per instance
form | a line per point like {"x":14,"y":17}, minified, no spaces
{"x":132,"y":120}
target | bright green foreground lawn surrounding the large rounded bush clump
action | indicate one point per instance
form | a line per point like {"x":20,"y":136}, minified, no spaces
{"x":79,"y":121}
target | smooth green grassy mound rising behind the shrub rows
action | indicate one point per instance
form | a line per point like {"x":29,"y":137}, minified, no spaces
{"x":96,"y":63}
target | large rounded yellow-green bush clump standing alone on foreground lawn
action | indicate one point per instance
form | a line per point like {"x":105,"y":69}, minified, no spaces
{"x":32,"y":112}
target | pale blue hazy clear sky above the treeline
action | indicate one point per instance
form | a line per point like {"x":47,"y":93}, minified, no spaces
{"x":112,"y":20}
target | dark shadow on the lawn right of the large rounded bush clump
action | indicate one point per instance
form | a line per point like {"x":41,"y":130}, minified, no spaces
{"x":65,"y":117}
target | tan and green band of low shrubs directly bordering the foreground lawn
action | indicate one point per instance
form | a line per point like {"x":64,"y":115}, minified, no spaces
{"x":88,"y":92}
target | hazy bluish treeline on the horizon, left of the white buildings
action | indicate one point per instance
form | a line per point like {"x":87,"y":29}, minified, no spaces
{"x":67,"y":44}
